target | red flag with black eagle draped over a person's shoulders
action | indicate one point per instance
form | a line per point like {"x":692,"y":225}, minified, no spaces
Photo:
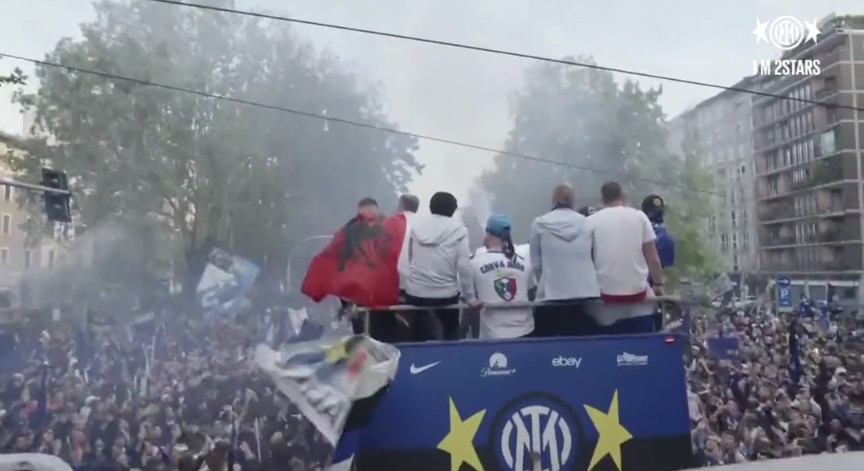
{"x":360,"y":264}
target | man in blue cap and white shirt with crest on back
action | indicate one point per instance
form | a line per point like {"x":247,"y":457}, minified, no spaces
{"x":501,"y":276}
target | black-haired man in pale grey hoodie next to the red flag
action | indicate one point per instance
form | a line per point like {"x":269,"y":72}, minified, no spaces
{"x":440,"y":269}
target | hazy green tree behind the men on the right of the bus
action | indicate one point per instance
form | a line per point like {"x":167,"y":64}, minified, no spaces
{"x":600,"y":130}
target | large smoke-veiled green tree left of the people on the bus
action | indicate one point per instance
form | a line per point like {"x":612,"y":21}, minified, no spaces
{"x":184,"y":170}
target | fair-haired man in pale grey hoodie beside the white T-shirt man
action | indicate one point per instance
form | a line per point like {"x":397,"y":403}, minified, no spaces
{"x":561,"y":248}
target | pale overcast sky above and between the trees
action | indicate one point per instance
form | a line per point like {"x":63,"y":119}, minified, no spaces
{"x":463,"y":95}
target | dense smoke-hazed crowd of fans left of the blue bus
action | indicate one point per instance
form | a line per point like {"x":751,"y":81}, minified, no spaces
{"x":182,"y":397}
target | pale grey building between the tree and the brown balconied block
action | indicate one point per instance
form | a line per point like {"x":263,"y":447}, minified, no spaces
{"x":718,"y":131}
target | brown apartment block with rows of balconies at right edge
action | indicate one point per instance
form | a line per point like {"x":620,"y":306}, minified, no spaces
{"x":809,"y":166}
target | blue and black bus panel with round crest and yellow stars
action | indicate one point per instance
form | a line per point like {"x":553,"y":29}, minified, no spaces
{"x":591,"y":404}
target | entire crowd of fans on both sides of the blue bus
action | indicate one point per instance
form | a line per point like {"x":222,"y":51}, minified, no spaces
{"x":186,"y":397}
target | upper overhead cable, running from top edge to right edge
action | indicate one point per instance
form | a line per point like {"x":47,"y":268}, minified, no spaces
{"x":520,"y":55}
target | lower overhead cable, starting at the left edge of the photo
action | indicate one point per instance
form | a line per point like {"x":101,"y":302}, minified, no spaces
{"x":333,"y":119}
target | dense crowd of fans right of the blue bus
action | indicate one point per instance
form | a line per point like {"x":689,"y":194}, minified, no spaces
{"x":750,"y":407}
